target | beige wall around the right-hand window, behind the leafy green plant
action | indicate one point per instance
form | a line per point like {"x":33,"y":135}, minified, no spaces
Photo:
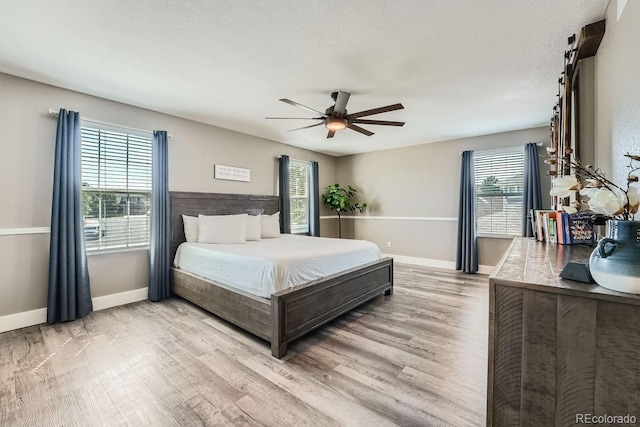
{"x":422,"y":181}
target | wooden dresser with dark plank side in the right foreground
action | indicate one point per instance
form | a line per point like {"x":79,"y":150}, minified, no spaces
{"x":558,"y":348}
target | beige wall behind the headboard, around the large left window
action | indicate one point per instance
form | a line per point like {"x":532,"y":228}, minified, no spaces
{"x":26,"y":173}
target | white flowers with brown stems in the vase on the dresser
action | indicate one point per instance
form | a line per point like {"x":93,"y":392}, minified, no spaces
{"x":605,"y":197}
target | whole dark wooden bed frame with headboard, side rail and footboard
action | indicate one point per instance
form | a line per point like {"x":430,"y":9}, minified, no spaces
{"x":289,"y":314}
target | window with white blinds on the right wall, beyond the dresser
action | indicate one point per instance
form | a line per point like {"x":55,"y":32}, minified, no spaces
{"x":498,"y":179}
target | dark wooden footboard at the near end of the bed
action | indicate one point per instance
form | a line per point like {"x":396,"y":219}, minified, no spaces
{"x":301,"y":309}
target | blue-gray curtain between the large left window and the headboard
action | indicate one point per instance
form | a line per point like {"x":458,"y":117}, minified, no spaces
{"x":159,"y":241}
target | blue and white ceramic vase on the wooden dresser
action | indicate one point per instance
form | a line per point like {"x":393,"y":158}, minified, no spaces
{"x":615,"y":263}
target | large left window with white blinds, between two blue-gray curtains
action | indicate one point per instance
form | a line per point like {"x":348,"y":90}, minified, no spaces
{"x":116,"y":188}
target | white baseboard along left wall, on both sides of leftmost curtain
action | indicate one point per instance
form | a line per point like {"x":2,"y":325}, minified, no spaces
{"x":36,"y":317}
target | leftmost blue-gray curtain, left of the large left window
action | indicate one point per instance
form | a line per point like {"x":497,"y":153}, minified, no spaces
{"x":69,"y":293}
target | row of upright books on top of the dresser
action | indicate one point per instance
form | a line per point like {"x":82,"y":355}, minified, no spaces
{"x":563,"y":228}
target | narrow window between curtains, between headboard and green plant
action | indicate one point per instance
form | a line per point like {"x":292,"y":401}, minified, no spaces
{"x":299,"y":177}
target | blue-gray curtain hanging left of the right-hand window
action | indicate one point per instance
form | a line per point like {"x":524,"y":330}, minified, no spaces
{"x":467,"y":253}
